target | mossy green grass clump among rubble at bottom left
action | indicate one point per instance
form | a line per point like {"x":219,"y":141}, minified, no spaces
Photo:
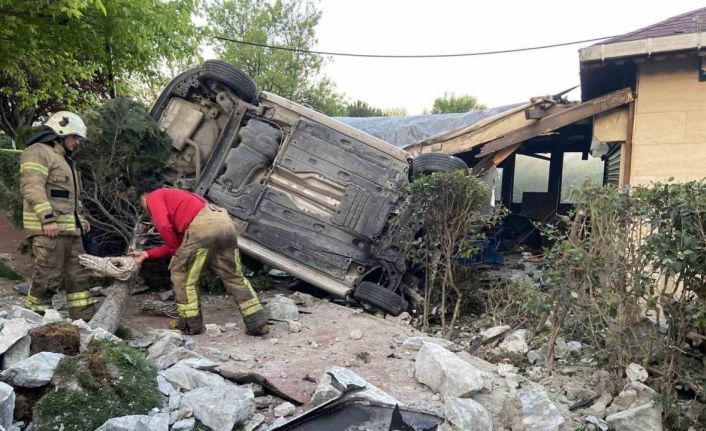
{"x":109,"y":380}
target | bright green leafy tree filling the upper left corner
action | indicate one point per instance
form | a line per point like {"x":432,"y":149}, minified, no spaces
{"x":67,"y":54}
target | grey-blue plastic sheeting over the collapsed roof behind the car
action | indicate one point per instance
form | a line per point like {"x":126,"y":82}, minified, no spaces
{"x":405,"y":131}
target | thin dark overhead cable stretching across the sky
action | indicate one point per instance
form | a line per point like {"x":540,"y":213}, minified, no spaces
{"x":350,"y":54}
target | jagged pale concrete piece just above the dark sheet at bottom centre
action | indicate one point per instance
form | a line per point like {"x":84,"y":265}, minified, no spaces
{"x":337,"y":379}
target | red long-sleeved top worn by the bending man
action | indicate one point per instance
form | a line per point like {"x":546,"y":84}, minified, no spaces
{"x":172,"y":211}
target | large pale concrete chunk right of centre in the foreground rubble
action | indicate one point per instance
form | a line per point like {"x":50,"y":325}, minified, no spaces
{"x":446,"y":373}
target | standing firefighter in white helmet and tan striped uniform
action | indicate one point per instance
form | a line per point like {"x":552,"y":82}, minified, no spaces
{"x":53,"y":215}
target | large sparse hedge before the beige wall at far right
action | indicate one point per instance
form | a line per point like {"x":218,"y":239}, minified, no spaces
{"x":629,"y":254}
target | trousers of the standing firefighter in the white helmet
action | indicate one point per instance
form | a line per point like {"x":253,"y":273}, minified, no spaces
{"x":56,"y":264}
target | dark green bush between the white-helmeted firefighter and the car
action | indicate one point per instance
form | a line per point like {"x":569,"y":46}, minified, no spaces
{"x":124,"y":144}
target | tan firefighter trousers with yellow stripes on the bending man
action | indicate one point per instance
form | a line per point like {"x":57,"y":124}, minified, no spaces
{"x":211,"y":240}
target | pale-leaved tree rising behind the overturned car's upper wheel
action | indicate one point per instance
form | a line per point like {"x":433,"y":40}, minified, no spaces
{"x":291,"y":74}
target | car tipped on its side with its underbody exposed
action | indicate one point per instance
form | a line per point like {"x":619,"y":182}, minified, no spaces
{"x":314,"y":196}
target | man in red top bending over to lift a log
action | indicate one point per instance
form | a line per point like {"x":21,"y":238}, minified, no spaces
{"x":198,"y":233}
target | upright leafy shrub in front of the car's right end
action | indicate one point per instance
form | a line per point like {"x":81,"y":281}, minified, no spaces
{"x":449,"y":208}
